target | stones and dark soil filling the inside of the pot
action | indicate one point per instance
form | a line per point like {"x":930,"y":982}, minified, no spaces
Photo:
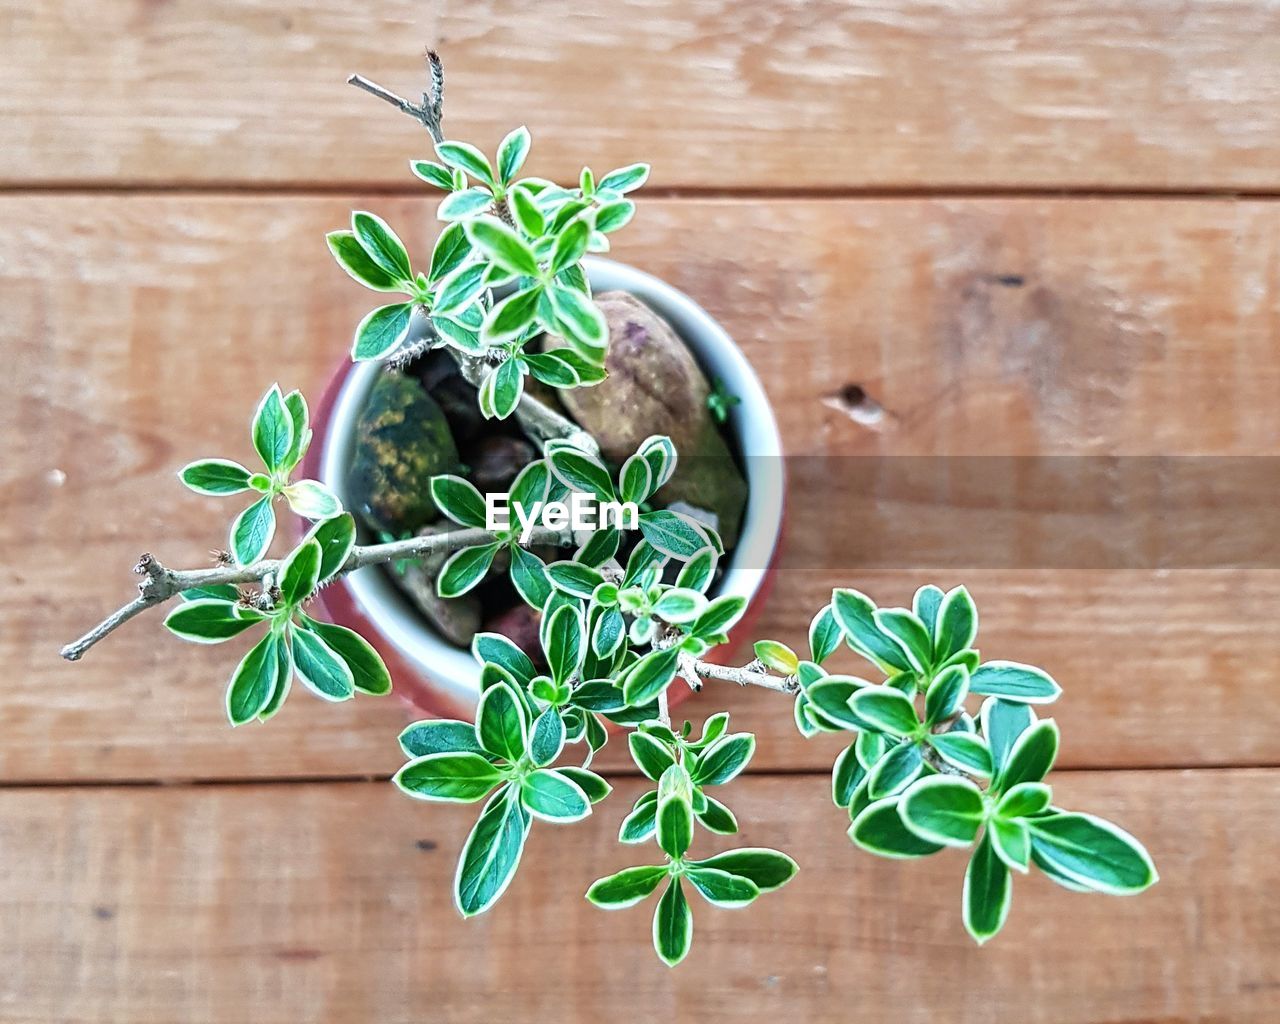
{"x":423,"y":419}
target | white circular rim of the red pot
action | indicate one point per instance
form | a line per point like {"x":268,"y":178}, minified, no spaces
{"x":752,"y":423}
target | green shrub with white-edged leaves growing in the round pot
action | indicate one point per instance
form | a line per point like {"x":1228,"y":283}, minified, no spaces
{"x":945,"y":749}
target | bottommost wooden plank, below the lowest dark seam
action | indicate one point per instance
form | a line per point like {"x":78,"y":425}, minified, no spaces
{"x":264,"y":904}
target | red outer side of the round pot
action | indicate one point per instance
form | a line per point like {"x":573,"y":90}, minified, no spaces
{"x":337,"y":605}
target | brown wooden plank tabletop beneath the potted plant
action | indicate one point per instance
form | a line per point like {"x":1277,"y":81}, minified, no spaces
{"x":1020,"y":228}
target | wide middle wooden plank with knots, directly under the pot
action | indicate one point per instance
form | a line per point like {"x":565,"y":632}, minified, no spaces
{"x":140,"y":332}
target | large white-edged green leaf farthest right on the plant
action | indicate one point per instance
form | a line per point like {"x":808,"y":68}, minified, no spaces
{"x":1094,"y":853}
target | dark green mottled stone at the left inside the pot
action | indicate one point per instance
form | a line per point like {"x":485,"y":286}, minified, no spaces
{"x":403,"y":441}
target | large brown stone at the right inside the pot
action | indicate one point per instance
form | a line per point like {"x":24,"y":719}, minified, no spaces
{"x":656,"y":387}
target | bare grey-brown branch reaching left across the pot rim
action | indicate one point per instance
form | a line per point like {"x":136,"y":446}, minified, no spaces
{"x":161,"y":584}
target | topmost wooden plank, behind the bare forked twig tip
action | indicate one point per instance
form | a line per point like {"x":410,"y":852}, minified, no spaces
{"x":716,"y":94}
